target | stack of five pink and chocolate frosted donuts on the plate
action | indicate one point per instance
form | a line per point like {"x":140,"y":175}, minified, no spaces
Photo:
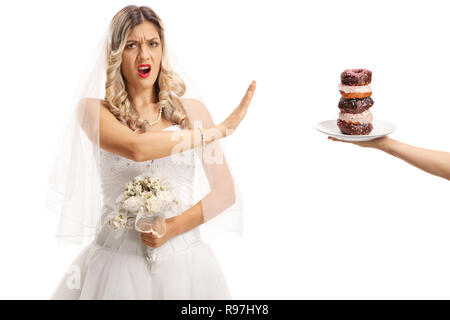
{"x":355,"y":117}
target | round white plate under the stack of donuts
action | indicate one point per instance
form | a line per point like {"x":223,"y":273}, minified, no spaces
{"x":380,"y":128}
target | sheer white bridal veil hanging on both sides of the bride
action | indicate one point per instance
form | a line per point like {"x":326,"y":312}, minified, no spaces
{"x":74,"y":188}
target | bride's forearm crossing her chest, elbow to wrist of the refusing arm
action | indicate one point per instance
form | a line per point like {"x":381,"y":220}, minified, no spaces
{"x":159,"y":144}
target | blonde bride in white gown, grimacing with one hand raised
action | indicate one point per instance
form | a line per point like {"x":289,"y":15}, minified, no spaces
{"x":143,"y":99}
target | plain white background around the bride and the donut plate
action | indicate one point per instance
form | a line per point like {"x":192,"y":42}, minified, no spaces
{"x":322,"y":219}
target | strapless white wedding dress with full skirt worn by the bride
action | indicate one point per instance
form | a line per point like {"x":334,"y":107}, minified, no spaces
{"x":114,"y":266}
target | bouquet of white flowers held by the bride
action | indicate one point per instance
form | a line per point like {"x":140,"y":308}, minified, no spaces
{"x":144,"y":201}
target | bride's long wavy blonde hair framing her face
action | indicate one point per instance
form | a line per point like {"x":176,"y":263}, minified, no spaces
{"x":169,"y":86}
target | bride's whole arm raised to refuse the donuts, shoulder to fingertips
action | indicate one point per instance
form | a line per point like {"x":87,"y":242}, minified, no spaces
{"x":115,"y":137}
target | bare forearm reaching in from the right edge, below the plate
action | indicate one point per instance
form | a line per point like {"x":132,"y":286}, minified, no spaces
{"x":431,"y":161}
